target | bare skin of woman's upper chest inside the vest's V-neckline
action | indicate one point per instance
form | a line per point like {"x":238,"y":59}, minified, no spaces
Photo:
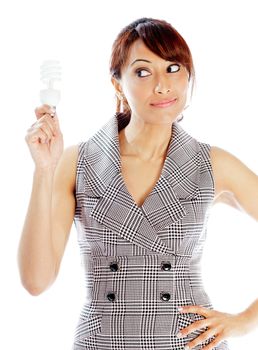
{"x":140,"y":177}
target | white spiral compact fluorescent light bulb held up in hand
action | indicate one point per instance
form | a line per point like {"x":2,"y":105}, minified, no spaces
{"x":50,"y":72}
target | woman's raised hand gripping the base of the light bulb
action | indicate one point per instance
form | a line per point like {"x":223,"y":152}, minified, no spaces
{"x":45,"y":139}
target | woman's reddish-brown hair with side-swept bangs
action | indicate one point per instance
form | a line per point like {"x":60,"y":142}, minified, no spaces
{"x":161,"y":38}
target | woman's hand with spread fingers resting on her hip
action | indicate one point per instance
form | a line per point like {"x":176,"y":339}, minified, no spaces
{"x":222,"y":325}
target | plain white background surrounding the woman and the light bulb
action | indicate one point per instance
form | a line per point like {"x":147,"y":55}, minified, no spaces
{"x":222,"y":36}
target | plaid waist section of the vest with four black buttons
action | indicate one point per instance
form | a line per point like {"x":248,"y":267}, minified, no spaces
{"x":145,"y":281}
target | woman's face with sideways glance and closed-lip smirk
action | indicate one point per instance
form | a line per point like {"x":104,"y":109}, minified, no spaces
{"x":144,"y":84}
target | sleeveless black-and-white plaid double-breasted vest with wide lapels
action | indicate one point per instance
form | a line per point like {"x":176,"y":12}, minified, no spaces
{"x":141,"y":263}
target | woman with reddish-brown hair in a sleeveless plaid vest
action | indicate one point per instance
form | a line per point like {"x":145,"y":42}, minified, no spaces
{"x":139,"y":191}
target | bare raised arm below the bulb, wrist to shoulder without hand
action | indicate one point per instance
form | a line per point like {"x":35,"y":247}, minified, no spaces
{"x":47,"y":224}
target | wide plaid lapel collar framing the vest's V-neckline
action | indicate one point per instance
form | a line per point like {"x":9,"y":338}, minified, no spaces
{"x":116,"y":208}
